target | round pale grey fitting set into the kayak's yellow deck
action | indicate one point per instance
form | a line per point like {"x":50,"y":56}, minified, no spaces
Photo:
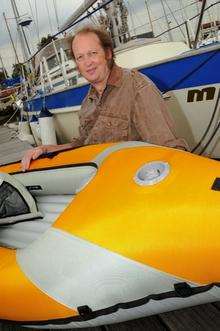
{"x":152,"y":173}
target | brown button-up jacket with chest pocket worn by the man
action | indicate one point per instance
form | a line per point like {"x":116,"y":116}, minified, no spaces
{"x":130,"y":108}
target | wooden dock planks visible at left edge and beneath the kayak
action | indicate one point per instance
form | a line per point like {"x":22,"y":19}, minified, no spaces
{"x":198,"y":318}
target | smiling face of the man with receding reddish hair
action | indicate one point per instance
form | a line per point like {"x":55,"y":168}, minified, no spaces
{"x":91,"y":58}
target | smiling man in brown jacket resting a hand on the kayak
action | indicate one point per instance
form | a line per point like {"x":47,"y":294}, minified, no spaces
{"x":121,"y":104}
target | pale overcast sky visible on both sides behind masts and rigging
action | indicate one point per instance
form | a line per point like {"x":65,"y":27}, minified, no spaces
{"x":43,"y":14}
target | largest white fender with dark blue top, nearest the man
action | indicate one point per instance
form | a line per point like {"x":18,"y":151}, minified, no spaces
{"x":47,"y":129}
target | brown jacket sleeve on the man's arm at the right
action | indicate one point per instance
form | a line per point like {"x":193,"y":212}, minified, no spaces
{"x":151,"y":118}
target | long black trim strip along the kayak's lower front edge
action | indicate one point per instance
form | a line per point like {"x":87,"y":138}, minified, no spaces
{"x":181,"y":290}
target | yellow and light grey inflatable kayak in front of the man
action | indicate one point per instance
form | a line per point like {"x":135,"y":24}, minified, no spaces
{"x":107,"y":233}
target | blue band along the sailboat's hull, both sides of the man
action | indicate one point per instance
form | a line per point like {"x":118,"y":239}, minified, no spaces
{"x":183,"y":72}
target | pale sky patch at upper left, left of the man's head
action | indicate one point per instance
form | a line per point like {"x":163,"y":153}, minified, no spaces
{"x":46,"y":23}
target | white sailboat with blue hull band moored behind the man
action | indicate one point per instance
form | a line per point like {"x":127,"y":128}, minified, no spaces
{"x":187,"y":78}
